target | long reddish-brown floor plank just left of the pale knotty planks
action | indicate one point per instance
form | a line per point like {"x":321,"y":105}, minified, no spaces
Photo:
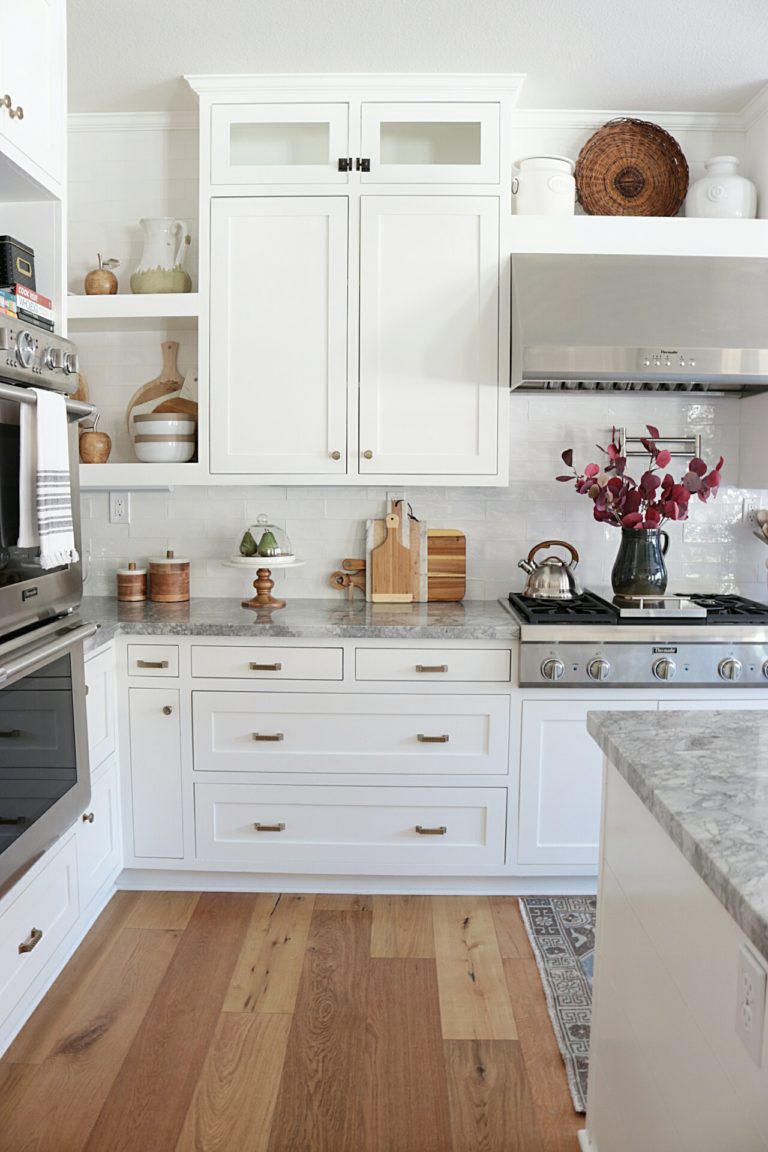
{"x":158,"y":1079}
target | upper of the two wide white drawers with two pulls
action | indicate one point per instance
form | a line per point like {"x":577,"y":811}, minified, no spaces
{"x":302,"y":732}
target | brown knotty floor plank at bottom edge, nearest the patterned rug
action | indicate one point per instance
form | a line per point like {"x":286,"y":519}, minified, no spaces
{"x":491,"y":1108}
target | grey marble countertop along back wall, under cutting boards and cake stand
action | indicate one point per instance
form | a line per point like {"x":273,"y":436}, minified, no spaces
{"x":475,"y":620}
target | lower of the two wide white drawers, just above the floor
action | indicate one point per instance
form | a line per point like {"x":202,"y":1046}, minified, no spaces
{"x":339,"y":825}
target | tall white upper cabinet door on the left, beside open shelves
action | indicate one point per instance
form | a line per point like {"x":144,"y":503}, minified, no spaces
{"x":279,"y":336}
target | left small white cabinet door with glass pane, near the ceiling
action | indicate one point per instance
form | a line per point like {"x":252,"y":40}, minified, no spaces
{"x":280,"y":145}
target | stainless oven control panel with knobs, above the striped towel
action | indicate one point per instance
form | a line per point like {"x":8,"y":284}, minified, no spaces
{"x":33,"y":357}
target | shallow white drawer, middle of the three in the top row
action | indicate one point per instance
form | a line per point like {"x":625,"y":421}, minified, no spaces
{"x":268,"y":663}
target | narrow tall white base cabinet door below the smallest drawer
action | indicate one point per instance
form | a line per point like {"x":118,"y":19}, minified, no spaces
{"x":156,"y":772}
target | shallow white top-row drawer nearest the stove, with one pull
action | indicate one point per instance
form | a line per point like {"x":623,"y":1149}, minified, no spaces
{"x":434,"y":665}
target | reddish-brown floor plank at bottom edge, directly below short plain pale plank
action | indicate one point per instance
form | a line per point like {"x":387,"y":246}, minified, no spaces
{"x":406,"y":1103}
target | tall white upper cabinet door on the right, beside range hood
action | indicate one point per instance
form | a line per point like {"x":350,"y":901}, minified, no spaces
{"x":430,"y":388}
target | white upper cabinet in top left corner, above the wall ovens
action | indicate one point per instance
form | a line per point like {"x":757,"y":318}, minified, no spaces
{"x":33,"y":60}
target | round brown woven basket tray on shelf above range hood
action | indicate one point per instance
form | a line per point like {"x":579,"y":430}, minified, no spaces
{"x":632,"y":168}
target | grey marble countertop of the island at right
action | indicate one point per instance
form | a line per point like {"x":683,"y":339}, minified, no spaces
{"x":704,"y":776}
